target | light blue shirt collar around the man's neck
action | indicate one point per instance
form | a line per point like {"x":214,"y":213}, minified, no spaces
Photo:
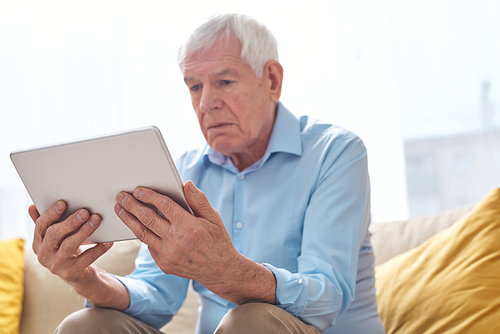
{"x":285,"y":138}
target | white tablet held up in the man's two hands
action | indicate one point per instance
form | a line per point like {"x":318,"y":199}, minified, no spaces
{"x":89,"y":173}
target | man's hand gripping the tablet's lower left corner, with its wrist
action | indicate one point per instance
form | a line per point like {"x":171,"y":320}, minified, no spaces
{"x":58,"y":247}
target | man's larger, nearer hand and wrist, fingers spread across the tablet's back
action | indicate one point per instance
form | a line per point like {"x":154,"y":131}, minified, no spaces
{"x":196,"y":247}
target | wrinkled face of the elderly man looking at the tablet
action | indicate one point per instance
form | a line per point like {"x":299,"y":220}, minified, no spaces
{"x":234,"y":107}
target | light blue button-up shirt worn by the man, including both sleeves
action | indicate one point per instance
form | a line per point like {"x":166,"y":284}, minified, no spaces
{"x":302,"y":210}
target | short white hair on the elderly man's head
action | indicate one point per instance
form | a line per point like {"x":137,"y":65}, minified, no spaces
{"x":258,"y":44}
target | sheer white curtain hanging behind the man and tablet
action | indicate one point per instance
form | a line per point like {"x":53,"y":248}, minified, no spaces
{"x":73,"y":69}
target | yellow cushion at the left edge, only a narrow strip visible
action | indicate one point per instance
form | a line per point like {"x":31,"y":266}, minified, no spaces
{"x":11,"y":284}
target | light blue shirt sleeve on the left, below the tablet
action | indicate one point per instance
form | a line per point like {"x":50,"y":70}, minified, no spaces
{"x":155,"y":297}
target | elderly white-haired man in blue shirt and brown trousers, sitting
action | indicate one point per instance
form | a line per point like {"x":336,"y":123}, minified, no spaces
{"x":279,"y":242}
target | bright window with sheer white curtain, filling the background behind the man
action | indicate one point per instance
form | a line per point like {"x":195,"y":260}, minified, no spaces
{"x":403,"y":75}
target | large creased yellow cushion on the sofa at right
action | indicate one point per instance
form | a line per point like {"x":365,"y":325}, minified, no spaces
{"x":450,"y":283}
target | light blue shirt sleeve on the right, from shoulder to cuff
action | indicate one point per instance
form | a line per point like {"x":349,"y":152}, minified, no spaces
{"x":335,"y":225}
